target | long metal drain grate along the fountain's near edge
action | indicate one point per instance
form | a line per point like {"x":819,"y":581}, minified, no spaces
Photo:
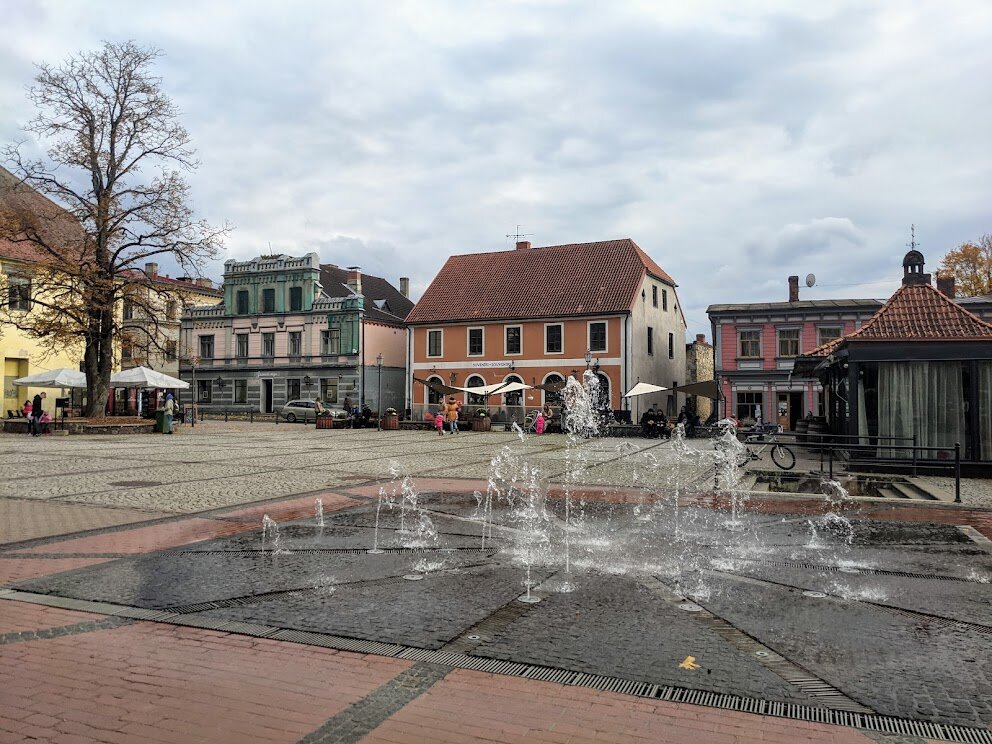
{"x":668,"y":693}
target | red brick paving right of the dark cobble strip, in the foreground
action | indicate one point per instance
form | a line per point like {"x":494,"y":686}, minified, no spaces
{"x":472,"y":706}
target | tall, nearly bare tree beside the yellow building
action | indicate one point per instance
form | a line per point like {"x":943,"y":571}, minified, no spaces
{"x":117,"y":199}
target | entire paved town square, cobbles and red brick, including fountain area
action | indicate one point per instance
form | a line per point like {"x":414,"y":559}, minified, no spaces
{"x":144,"y":599}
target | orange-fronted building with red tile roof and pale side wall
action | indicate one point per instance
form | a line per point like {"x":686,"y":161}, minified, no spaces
{"x":535,"y":314}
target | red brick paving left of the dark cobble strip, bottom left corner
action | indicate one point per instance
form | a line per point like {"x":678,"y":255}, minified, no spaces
{"x":160,"y":683}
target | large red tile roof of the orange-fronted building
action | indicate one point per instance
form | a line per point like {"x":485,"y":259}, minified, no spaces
{"x":550,"y":281}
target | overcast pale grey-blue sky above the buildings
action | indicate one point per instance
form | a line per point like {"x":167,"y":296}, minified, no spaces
{"x":736,"y":142}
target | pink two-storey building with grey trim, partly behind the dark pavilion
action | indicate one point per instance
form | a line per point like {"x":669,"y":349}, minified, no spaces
{"x":755,"y":345}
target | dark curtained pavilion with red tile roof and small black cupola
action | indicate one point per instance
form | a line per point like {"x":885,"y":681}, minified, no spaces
{"x":918,"y":372}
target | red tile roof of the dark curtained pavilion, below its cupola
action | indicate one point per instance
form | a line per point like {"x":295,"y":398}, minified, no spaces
{"x":916,"y":312}
